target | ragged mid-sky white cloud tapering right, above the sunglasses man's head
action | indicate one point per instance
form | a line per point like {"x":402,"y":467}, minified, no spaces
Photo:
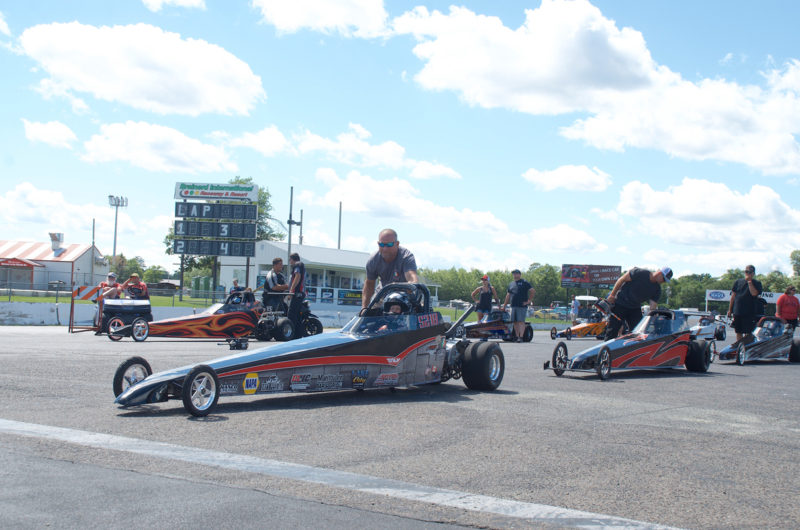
{"x":352,"y":148}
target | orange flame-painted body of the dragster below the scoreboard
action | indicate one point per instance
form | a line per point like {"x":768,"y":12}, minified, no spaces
{"x":236,"y":324}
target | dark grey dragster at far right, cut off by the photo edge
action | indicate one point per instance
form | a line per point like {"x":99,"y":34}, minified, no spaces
{"x":771,"y":340}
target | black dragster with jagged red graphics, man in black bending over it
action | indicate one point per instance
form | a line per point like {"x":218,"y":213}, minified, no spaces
{"x":662,"y":339}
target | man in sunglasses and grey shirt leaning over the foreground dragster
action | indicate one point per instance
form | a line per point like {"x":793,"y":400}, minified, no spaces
{"x":391,"y":263}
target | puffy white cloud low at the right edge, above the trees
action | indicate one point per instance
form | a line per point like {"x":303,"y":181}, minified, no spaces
{"x":710,"y":215}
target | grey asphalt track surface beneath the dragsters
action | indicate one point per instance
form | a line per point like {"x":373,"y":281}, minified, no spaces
{"x":671,"y":448}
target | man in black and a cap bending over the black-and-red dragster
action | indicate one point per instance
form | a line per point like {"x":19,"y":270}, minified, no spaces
{"x":631,"y":290}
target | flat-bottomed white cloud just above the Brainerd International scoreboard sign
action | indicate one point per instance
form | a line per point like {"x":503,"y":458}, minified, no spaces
{"x":155,"y":148}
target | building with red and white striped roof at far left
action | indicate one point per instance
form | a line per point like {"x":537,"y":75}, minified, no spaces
{"x":33,"y":265}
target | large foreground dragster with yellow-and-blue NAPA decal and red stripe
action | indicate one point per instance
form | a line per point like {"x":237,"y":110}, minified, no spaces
{"x":398,"y":341}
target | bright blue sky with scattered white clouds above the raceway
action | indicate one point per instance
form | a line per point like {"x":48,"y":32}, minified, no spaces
{"x":488,"y":134}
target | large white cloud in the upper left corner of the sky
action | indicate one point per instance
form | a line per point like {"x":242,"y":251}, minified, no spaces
{"x":144,"y":67}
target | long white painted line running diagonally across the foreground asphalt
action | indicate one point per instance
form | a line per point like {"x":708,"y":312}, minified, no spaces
{"x":339,"y":479}
